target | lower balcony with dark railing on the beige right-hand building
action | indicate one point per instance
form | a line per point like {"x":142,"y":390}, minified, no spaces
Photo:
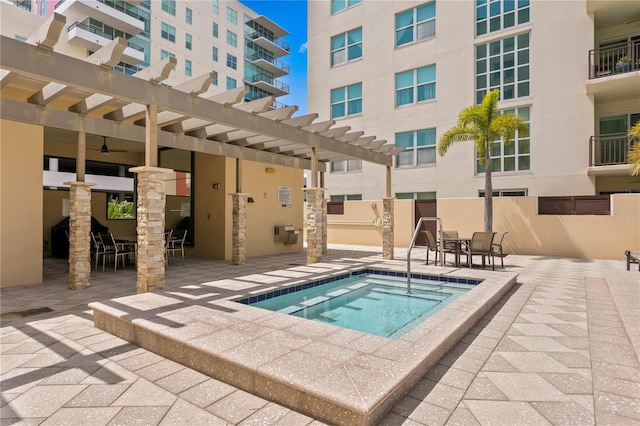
{"x":609,"y":154}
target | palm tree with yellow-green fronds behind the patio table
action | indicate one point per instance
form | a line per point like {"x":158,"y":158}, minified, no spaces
{"x":483,"y":124}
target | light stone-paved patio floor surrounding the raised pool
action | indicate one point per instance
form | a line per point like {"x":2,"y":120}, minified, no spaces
{"x":561,"y":347}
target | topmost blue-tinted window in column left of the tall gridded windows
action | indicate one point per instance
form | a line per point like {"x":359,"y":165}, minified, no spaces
{"x":416,"y":24}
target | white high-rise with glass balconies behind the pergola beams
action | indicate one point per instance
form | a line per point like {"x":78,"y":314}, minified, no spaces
{"x":239,"y":45}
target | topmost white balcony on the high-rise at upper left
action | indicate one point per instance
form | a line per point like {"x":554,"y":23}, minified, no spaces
{"x":79,"y":10}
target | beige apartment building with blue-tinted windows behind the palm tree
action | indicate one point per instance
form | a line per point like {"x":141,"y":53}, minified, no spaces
{"x":404,"y":70}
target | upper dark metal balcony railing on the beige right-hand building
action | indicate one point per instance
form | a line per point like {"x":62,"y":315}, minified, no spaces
{"x":617,"y":59}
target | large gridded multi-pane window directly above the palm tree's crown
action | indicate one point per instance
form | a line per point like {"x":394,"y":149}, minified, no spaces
{"x":503,"y":64}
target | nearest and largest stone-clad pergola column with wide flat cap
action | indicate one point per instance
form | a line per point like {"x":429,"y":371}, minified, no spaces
{"x":150,"y":227}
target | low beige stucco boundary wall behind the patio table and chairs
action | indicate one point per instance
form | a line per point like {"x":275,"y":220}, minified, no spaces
{"x":589,"y":236}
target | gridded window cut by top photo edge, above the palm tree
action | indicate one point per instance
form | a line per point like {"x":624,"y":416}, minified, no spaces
{"x":495,"y":15}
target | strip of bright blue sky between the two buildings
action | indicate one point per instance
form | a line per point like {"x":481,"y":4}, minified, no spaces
{"x":292,"y":16}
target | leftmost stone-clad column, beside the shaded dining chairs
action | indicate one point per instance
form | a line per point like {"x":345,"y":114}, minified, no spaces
{"x":79,"y":238}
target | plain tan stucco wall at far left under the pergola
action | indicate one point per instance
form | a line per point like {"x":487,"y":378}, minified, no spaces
{"x":21,"y":147}
